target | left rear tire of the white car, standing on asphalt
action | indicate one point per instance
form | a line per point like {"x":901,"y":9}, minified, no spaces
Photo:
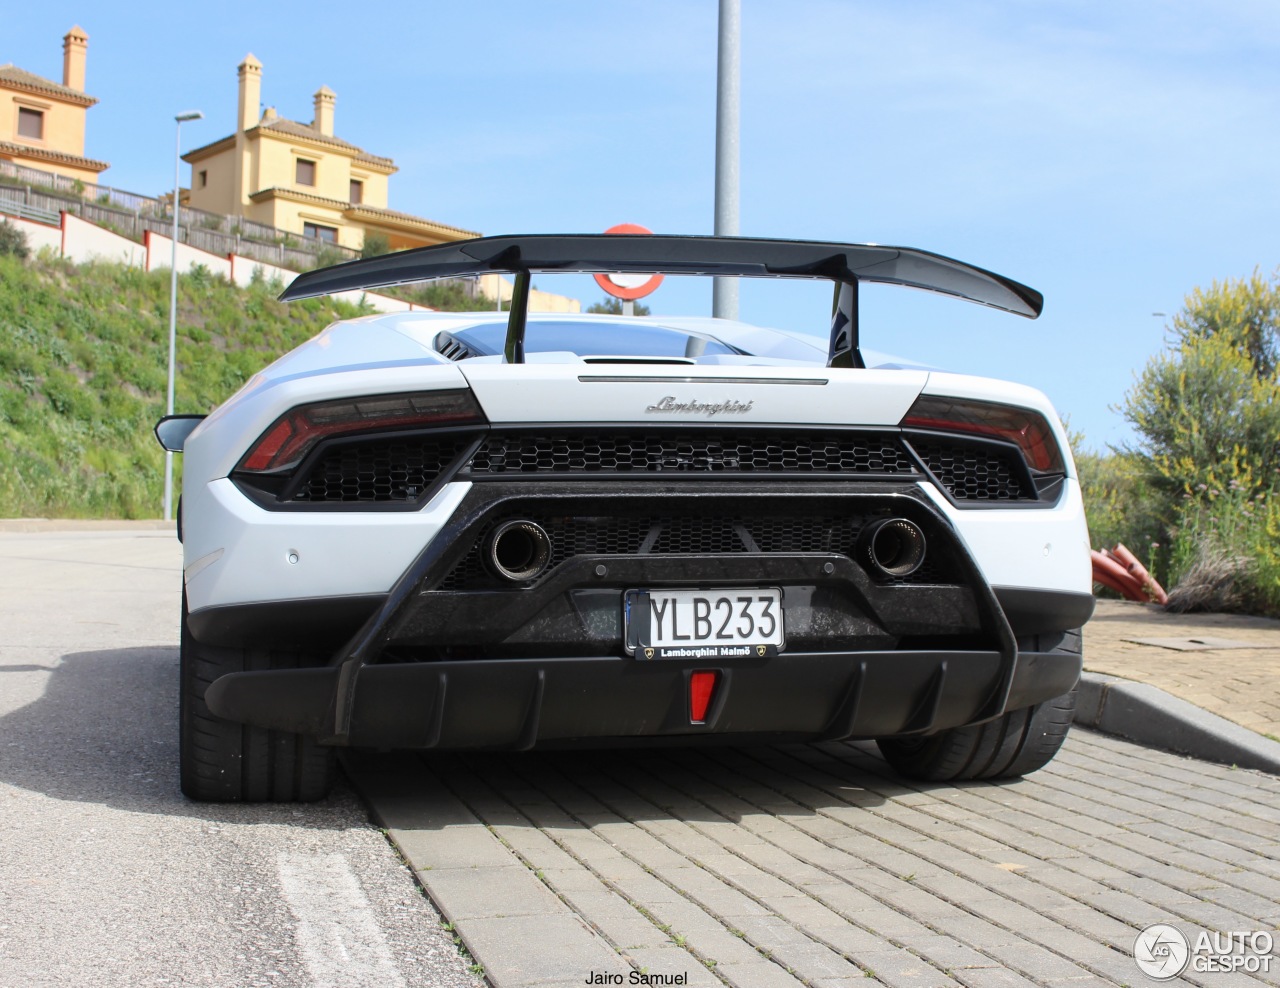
{"x":225,"y":762}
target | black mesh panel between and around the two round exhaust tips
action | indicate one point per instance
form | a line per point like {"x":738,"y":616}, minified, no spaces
{"x":702,"y":534}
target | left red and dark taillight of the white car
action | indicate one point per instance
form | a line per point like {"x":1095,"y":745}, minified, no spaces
{"x":295,"y":433}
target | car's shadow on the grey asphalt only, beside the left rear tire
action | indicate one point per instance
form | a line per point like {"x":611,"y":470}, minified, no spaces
{"x":106,"y":731}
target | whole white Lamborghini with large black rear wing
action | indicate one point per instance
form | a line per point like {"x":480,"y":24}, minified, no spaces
{"x":505,"y":532}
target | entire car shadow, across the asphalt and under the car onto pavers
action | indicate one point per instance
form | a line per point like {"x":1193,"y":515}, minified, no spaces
{"x":106,"y":731}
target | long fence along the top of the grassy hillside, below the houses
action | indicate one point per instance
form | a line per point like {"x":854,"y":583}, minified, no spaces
{"x":30,"y":194}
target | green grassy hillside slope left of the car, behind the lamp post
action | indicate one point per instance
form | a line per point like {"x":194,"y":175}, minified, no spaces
{"x":84,"y":356}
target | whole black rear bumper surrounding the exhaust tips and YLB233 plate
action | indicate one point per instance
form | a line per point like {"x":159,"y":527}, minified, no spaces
{"x":449,"y":662}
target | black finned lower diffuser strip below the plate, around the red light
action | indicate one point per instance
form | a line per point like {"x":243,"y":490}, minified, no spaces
{"x":520,"y":703}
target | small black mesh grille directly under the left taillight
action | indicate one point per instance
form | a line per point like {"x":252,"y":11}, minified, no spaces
{"x":381,"y":470}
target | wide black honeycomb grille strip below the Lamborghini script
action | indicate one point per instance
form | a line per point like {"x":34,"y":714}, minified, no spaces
{"x":694,"y":452}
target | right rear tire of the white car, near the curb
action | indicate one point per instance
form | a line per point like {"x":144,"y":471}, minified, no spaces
{"x":1013,"y":745}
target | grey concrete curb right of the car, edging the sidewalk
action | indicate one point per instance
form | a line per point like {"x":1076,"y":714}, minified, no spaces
{"x":1153,"y":717}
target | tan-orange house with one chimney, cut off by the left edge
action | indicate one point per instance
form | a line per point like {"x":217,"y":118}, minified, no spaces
{"x":43,"y":122}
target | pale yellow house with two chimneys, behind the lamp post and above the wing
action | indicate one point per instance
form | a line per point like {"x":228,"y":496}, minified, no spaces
{"x":300,"y":177}
